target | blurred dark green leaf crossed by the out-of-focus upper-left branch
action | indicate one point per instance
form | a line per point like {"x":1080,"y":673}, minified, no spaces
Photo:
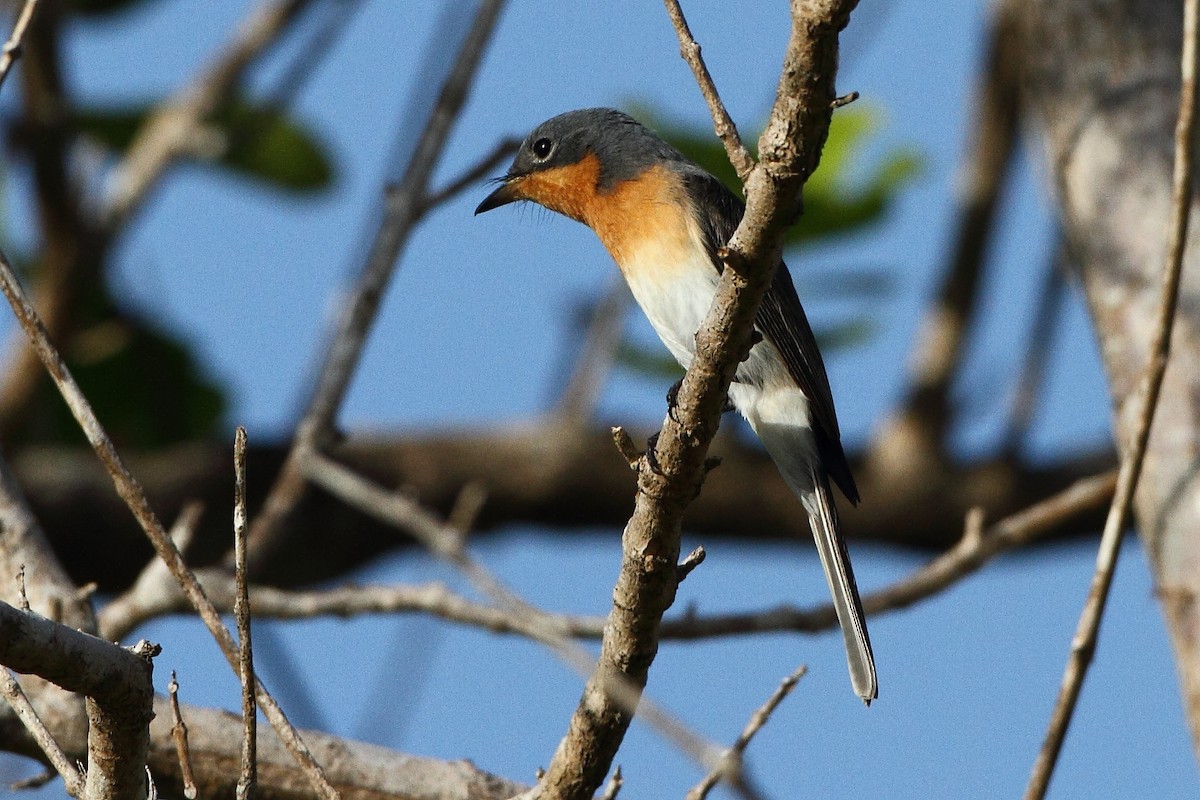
{"x":259,"y":142}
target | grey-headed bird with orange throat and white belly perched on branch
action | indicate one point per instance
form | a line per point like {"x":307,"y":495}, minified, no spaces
{"x":664,"y":220}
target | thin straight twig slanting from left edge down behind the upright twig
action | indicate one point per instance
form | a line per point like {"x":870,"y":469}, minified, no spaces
{"x":130,"y":491}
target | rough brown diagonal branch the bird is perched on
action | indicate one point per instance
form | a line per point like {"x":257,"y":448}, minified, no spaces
{"x":790,"y":149}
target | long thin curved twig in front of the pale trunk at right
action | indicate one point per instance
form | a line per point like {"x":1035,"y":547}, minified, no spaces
{"x":1083,"y":646}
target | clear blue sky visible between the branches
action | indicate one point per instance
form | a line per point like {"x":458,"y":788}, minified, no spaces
{"x":475,"y":332}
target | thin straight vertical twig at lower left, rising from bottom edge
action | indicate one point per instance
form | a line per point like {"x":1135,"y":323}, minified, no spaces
{"x":249,"y":775}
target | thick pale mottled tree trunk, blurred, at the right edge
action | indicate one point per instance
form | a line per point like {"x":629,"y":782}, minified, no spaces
{"x":1105,"y":85}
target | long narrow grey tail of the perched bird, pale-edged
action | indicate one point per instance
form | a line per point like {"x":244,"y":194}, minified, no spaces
{"x":841,"y":576}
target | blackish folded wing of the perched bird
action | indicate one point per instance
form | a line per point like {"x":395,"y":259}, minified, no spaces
{"x":783,"y":321}
